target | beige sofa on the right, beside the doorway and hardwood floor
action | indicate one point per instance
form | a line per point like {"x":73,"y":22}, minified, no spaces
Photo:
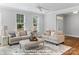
{"x":54,"y":37}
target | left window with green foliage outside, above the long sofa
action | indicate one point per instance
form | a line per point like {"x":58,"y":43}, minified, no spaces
{"x":20,"y":22}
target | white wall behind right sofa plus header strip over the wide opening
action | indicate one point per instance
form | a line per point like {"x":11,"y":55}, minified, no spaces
{"x":50,"y":18}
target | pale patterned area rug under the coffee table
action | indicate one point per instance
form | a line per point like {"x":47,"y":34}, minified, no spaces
{"x":48,"y":49}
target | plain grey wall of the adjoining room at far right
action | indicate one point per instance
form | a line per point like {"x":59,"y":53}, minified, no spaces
{"x":71,"y":25}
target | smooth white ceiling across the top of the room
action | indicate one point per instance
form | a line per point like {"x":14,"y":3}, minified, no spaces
{"x":33,"y":6}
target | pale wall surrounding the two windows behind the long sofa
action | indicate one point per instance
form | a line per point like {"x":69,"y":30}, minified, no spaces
{"x":9,"y":19}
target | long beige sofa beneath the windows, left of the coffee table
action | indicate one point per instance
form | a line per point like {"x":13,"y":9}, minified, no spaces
{"x":19,"y":36}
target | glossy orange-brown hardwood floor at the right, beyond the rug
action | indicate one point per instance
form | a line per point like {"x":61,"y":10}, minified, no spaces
{"x":74,"y":43}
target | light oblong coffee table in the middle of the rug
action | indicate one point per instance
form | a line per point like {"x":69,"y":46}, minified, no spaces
{"x":27,"y":44}
